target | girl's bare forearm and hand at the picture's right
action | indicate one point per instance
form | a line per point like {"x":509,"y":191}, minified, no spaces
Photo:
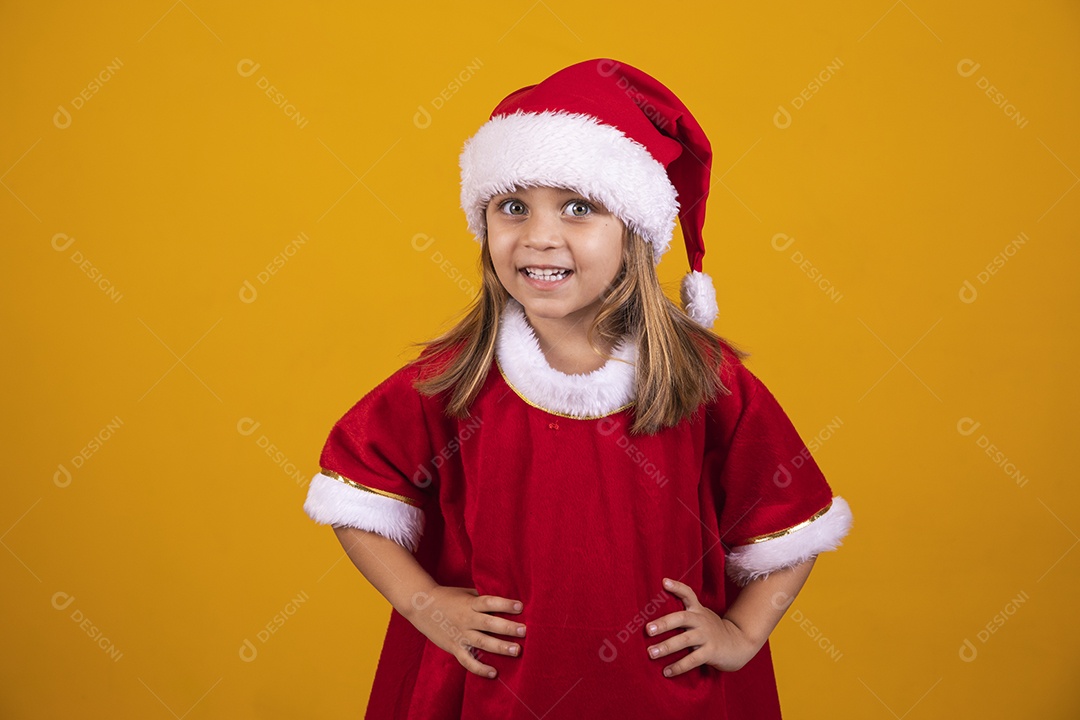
{"x":728,"y":643}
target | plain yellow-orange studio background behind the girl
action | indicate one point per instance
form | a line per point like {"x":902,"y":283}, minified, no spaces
{"x":180,"y":181}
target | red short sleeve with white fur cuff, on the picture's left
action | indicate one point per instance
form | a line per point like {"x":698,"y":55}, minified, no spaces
{"x":373,"y":466}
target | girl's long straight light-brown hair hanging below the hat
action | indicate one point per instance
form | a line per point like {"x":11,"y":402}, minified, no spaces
{"x":678,"y":360}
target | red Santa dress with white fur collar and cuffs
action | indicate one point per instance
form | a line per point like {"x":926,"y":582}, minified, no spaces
{"x":544,"y":496}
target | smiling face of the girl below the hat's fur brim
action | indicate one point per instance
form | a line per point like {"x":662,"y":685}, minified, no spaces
{"x":556,"y":252}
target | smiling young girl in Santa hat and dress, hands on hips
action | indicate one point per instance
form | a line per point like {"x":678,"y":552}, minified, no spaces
{"x":579,"y":502}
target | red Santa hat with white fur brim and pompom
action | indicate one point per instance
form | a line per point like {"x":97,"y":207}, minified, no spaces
{"x":614,"y":134}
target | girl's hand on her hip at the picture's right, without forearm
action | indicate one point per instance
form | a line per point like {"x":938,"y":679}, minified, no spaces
{"x":717,"y":642}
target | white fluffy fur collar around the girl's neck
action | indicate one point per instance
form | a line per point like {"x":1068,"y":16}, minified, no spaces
{"x":593,"y":395}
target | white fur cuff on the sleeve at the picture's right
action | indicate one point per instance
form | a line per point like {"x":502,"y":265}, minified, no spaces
{"x":747,"y":563}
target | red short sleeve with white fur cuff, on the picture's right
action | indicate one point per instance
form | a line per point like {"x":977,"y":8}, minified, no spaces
{"x":778,"y":509}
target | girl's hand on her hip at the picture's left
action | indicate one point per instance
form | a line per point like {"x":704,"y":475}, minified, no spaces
{"x":456,"y":620}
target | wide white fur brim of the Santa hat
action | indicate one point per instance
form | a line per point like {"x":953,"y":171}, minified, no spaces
{"x":570,"y":151}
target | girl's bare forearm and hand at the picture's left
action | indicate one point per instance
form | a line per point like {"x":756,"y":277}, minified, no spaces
{"x":455,"y":619}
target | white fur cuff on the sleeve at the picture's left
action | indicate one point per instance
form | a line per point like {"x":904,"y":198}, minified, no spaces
{"x":333,"y":502}
